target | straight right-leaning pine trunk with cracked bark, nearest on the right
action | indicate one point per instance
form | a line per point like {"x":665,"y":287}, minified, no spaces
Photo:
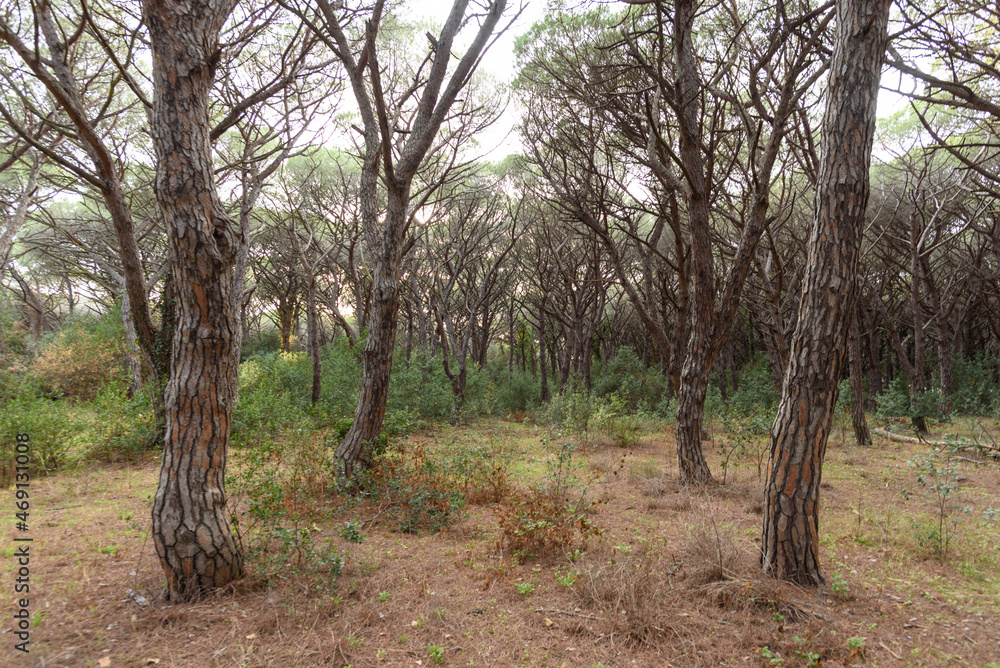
{"x":790,"y":540}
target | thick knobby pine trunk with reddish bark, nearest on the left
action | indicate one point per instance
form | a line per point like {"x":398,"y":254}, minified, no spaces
{"x":190,"y":531}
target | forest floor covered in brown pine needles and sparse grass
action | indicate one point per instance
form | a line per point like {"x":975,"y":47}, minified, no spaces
{"x":668,"y":576}
